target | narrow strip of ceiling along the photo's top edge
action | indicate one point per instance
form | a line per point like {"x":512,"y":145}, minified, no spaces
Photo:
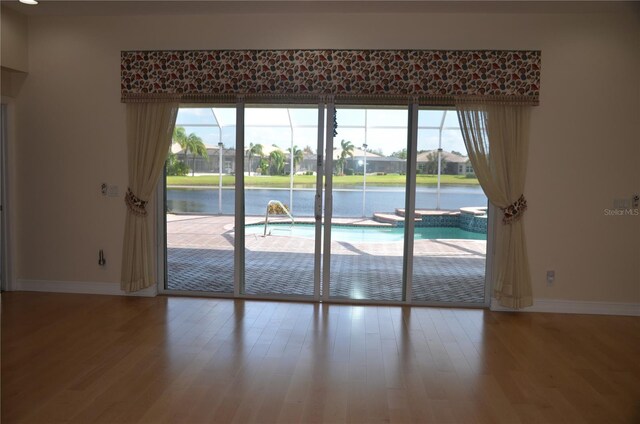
{"x":188,"y":7}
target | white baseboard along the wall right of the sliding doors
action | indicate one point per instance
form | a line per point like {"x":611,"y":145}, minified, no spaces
{"x":575,"y":307}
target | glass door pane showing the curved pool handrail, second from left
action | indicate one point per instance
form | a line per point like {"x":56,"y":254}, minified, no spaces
{"x":280,"y":192}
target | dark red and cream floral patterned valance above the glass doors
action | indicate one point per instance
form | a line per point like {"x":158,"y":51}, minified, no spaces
{"x":429,"y":76}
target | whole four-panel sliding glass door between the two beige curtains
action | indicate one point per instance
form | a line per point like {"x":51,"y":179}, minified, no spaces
{"x":358,"y":204}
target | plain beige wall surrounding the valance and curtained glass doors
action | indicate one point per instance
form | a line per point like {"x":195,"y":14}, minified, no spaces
{"x":584,"y":146}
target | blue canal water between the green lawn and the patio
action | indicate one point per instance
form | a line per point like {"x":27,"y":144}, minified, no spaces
{"x":347,"y":202}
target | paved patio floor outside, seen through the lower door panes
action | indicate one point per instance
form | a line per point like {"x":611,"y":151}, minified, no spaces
{"x":200,"y":258}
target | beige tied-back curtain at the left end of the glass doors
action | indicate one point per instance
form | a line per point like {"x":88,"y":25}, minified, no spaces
{"x":149,"y":131}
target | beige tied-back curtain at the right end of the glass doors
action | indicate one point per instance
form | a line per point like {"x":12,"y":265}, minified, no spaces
{"x":497,"y":138}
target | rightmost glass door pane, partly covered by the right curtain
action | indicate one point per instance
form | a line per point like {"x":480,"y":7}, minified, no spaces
{"x":450,"y":235}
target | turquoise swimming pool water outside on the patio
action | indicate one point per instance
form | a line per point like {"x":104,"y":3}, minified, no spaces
{"x":360,"y":234}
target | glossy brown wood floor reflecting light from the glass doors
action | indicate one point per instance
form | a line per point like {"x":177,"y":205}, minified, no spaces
{"x":106,"y":359}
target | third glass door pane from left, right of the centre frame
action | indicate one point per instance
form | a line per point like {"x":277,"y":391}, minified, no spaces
{"x":368,"y":189}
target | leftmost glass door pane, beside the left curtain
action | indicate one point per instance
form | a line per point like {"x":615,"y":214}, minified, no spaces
{"x":200,"y":200}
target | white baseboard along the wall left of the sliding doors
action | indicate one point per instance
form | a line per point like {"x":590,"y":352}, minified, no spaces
{"x":79,"y":287}
